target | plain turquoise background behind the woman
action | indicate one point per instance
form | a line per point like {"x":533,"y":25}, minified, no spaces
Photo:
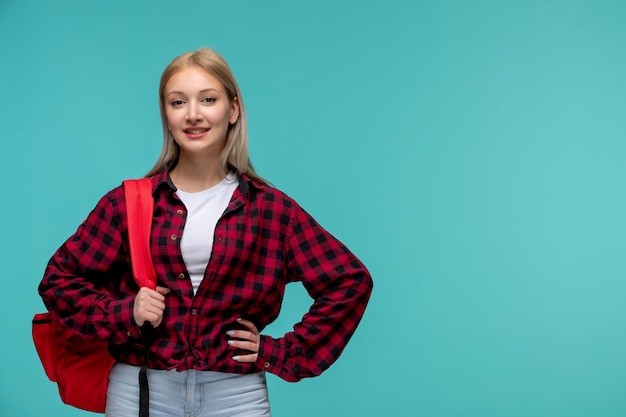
{"x":471,"y":153}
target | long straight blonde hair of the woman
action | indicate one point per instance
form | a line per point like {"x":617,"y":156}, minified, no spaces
{"x":235,"y":154}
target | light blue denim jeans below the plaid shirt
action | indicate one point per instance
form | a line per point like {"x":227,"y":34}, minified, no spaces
{"x":188,"y":394}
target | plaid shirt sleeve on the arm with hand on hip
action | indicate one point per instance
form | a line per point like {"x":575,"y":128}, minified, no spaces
{"x":340,"y":286}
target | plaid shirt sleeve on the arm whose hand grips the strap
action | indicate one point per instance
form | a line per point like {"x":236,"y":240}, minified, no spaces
{"x":81,"y":275}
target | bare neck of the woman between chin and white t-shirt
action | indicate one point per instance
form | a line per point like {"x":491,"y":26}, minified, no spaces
{"x":197,"y":174}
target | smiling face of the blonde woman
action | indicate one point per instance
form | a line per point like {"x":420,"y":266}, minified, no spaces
{"x":198,"y":112}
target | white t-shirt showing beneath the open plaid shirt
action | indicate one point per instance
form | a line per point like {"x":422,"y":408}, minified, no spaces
{"x":204,"y":209}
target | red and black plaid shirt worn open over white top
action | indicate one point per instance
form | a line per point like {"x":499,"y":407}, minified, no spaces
{"x":263,"y":241}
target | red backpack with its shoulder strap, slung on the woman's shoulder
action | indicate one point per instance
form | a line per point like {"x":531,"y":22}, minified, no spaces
{"x":79,"y":366}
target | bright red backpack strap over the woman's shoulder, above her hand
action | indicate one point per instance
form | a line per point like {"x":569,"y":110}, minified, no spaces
{"x":139,"y":207}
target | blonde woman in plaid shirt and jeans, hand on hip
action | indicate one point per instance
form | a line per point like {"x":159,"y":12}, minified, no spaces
{"x":224,"y":244}
